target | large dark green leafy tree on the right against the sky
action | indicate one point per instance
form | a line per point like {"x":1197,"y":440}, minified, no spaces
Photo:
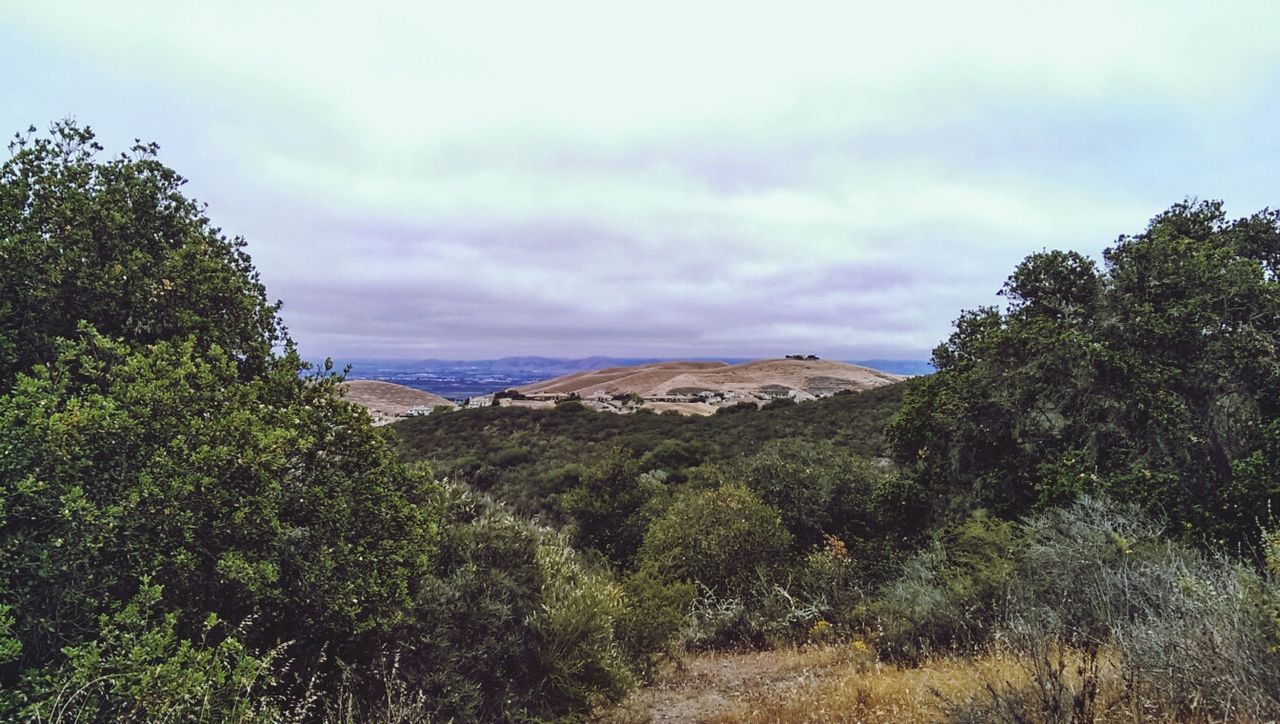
{"x":1155,"y":378}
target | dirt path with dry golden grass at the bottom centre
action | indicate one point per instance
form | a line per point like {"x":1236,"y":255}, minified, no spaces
{"x":714,"y":686}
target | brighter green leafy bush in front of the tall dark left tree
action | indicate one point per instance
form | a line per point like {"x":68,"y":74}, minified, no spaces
{"x":236,"y":497}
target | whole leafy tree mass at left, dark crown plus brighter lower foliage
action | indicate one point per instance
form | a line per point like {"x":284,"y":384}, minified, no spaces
{"x":159,"y":438}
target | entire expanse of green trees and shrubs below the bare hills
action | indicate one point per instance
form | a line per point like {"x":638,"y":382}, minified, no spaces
{"x":194,"y":526}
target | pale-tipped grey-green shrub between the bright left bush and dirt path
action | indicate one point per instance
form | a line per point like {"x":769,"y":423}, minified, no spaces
{"x":513,"y":625}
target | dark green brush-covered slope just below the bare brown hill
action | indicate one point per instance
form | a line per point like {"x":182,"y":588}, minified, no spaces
{"x":560,"y":446}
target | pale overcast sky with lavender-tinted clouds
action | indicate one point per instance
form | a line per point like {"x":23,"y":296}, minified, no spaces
{"x":662,"y":180}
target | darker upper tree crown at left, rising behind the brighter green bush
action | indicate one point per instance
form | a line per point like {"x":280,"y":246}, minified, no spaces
{"x":117,"y":245}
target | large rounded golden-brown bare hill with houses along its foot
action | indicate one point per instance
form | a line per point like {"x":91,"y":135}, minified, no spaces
{"x":717,"y":382}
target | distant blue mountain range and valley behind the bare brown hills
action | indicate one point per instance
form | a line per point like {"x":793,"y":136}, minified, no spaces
{"x":461,"y":379}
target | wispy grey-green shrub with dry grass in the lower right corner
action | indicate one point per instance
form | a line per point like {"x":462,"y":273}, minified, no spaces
{"x":1191,"y":635}
